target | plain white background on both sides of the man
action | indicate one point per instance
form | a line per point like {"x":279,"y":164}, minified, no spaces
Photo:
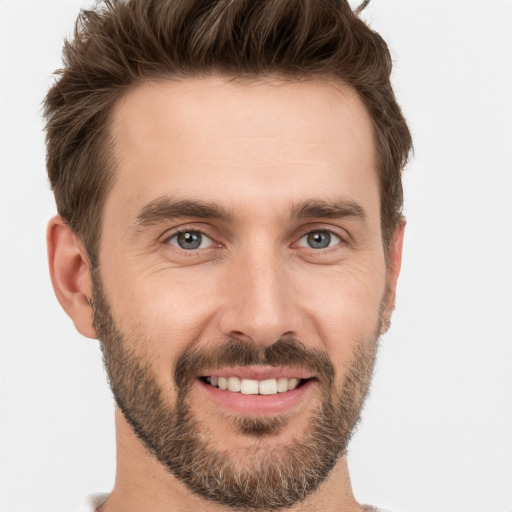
{"x":437,"y":431}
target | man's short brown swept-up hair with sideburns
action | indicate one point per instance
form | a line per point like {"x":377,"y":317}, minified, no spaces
{"x":123,"y":43}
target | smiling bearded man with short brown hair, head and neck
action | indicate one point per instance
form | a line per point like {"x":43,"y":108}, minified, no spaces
{"x":228,"y":181}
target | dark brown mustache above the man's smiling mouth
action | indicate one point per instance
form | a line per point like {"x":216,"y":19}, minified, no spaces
{"x":289,"y":352}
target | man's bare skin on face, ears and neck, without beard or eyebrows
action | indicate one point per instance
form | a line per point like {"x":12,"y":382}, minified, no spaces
{"x":256,"y":149}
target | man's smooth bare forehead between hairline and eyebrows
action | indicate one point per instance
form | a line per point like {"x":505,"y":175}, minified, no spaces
{"x":218,"y":140}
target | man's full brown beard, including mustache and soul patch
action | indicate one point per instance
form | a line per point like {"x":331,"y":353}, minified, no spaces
{"x":257,"y":477}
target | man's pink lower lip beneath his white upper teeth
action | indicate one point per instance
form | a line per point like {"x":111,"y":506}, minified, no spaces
{"x":258,"y":405}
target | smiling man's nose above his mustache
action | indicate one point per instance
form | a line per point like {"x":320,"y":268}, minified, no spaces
{"x":259,"y":306}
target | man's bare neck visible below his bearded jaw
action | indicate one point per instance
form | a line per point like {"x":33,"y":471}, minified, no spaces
{"x":142,"y":483}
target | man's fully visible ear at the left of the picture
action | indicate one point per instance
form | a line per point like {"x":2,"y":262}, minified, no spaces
{"x":70,"y":275}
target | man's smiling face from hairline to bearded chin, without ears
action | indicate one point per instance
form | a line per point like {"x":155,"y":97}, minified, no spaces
{"x":241,"y":247}
